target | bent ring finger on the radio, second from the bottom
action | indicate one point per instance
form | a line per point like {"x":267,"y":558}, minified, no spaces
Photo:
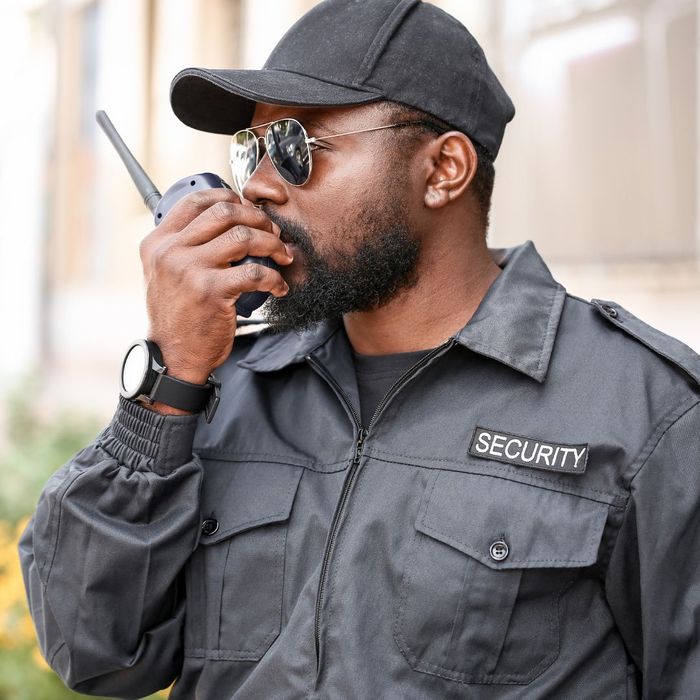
{"x":237,"y":242}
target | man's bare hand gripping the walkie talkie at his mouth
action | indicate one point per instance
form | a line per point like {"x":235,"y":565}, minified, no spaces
{"x":191,"y":288}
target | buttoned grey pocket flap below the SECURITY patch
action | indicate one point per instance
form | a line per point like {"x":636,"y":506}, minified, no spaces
{"x":541,"y":528}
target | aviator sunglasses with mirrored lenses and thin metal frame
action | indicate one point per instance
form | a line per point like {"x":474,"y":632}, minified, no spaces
{"x":289,"y":148}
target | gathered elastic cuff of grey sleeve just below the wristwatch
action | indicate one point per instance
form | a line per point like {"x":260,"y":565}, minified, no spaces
{"x":143,"y":439}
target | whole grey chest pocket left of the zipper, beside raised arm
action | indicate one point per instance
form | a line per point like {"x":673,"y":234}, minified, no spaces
{"x":234,"y":579}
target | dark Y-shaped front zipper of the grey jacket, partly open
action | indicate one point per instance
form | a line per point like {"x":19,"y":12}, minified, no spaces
{"x":353,"y":471}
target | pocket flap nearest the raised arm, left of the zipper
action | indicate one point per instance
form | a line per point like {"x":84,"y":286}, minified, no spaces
{"x":242,"y":496}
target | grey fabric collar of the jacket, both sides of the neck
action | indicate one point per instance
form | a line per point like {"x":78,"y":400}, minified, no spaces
{"x":516,"y":322}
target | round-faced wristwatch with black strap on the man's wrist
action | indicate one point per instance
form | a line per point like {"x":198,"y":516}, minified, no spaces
{"x":144,"y":378}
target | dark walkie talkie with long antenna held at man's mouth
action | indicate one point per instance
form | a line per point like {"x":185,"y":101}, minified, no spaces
{"x":159,"y":205}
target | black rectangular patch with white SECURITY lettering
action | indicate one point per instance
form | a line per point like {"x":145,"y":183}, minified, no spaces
{"x":528,"y":452}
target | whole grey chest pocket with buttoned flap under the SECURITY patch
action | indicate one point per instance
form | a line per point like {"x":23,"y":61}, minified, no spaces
{"x":490,"y":559}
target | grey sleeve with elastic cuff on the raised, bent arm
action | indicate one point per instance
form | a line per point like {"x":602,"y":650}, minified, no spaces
{"x":102,"y":555}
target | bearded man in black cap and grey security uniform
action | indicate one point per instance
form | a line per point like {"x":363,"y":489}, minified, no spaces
{"x":457,"y":481}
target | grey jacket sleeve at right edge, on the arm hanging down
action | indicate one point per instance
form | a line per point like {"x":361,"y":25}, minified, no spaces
{"x":653,"y":580}
